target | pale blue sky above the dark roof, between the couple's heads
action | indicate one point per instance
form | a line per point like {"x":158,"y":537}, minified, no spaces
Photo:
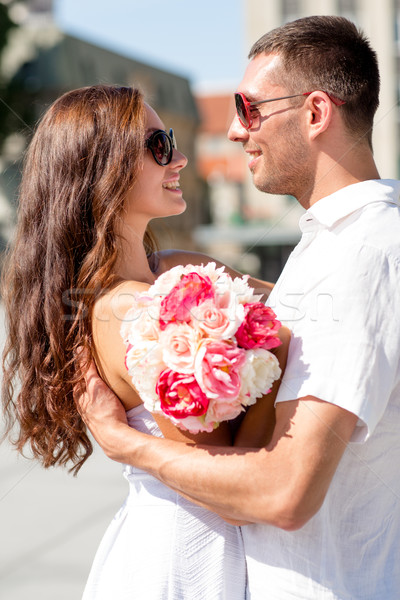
{"x":202,"y":40}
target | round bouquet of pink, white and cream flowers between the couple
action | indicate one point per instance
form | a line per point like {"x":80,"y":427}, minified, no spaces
{"x":198,"y":346}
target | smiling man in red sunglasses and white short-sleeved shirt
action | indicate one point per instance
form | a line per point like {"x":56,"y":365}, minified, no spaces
{"x":324,"y":494}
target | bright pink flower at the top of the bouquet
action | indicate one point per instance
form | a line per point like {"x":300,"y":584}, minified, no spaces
{"x":189,"y":292}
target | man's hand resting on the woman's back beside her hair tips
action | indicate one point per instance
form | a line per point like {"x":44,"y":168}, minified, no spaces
{"x":103,"y":413}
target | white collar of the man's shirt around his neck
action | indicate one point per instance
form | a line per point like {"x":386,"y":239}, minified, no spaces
{"x":340,"y":204}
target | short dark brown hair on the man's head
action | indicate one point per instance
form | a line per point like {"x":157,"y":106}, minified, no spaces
{"x":330,"y":54}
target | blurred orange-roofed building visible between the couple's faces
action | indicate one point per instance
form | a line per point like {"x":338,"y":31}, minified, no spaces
{"x":244,"y":229}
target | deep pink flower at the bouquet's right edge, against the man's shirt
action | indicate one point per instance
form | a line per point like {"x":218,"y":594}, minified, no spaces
{"x":259,"y":328}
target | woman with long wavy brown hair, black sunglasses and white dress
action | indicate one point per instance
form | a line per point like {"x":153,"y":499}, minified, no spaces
{"x":99,"y":168}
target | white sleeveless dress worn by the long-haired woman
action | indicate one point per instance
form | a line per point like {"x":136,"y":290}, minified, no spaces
{"x":162,"y":547}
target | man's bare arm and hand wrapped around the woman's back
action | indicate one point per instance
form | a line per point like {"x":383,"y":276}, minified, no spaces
{"x":283,"y":484}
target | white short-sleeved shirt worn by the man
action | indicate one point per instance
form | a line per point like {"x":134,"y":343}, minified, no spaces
{"x":339,"y":294}
